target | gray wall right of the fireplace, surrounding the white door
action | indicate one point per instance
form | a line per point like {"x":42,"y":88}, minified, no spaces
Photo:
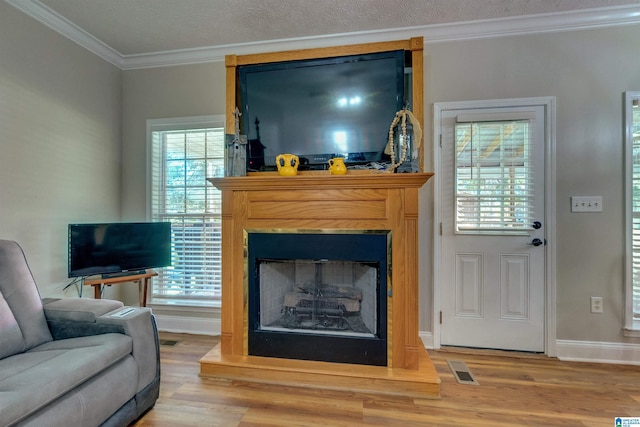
{"x":587,"y":71}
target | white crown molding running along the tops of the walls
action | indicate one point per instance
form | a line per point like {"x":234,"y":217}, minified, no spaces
{"x":470,"y":30}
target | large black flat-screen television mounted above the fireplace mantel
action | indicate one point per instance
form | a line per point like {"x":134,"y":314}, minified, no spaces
{"x":321,"y":108}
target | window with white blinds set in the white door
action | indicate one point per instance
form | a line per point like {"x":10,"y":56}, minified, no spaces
{"x":493,"y":187}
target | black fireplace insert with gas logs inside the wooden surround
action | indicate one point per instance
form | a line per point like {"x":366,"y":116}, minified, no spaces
{"x":318,"y":294}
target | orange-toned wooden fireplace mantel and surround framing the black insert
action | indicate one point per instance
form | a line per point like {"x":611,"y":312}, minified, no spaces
{"x":320,"y":201}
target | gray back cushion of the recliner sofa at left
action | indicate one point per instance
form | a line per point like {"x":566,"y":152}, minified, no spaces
{"x":22,"y":322}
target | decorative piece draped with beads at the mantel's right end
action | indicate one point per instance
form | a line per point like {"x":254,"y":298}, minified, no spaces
{"x":403,"y":148}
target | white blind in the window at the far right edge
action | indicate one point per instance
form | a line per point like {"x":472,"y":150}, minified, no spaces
{"x":634,"y":147}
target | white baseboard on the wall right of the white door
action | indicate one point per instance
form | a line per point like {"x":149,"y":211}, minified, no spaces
{"x":598,"y":352}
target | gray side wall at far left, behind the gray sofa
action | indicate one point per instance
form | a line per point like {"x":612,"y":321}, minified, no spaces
{"x":60,"y":146}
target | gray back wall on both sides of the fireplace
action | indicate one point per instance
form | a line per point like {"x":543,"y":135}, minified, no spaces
{"x":587,"y":71}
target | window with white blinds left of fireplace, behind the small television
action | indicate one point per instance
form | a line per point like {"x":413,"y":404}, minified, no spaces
{"x":183,"y":153}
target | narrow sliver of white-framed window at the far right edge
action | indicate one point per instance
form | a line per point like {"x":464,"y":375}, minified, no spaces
{"x":632,"y":196}
